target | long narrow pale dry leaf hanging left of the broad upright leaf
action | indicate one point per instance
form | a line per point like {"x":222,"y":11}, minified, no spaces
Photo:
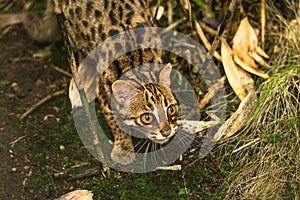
{"x":240,"y":80}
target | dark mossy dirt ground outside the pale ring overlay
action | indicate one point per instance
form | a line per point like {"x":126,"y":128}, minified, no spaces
{"x":46,"y":142}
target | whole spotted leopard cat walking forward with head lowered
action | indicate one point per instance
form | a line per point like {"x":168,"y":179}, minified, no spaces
{"x":143,"y":100}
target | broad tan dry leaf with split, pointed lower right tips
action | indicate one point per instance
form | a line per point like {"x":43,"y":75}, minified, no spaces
{"x":244,"y":42}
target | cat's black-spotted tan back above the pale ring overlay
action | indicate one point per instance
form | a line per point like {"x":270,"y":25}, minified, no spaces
{"x":90,"y":22}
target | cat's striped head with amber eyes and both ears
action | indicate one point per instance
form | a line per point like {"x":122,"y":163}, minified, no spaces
{"x":151,"y":108}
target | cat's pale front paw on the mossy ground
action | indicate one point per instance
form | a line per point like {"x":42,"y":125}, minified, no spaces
{"x":122,"y":156}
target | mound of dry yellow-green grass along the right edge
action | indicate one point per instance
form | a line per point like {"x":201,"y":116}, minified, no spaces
{"x":266,"y":162}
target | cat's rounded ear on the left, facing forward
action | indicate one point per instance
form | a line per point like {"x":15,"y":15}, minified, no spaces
{"x":122,"y":91}
